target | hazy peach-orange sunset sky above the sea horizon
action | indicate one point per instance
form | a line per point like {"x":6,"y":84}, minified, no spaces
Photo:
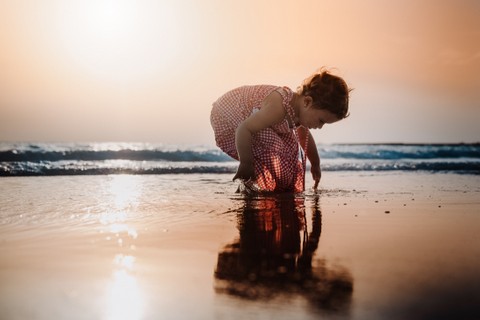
{"x":148,"y":71}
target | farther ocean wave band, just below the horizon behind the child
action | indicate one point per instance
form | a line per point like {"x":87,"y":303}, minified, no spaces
{"x":149,"y":152}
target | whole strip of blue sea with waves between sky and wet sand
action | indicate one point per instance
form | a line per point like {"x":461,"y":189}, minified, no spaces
{"x":51,"y":159}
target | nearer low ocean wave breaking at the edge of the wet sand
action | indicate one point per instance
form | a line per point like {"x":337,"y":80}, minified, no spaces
{"x":148,"y":167}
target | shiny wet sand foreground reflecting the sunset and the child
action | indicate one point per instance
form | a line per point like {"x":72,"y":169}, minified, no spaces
{"x":366,"y":246}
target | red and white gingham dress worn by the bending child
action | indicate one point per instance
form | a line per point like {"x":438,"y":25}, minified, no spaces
{"x":275,"y":150}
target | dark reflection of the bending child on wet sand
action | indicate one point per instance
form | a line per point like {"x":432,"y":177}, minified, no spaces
{"x":271,"y":259}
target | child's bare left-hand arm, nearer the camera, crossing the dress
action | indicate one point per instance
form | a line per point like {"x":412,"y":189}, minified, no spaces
{"x":271,"y":112}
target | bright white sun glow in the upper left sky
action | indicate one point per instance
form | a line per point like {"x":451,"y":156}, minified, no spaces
{"x":119,"y":40}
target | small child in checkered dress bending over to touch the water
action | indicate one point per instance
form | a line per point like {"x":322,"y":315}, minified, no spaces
{"x":263,"y":125}
